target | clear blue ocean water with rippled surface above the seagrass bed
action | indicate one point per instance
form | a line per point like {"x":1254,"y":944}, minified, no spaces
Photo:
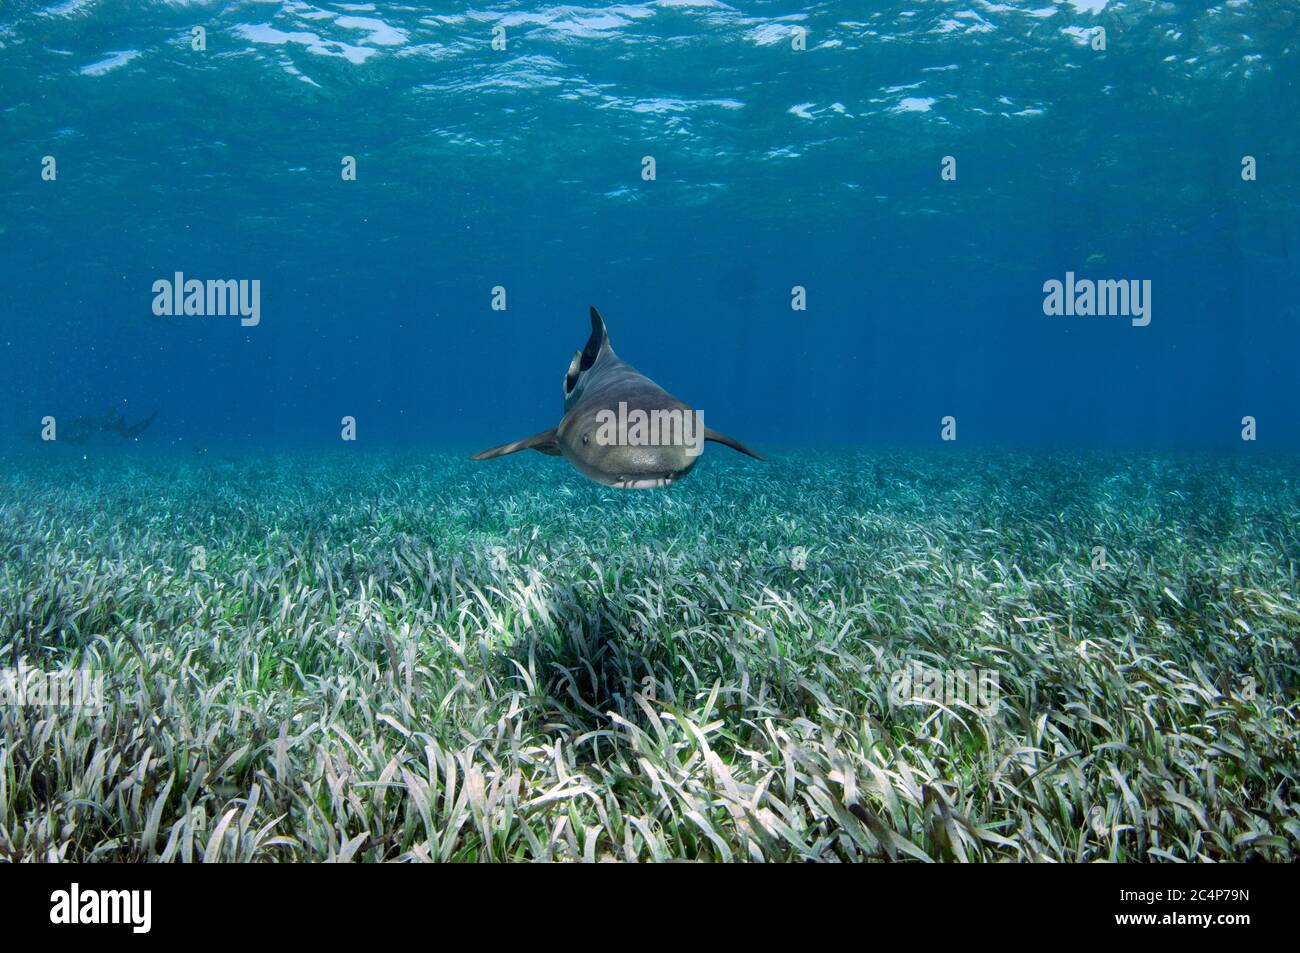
{"x":794,"y":146}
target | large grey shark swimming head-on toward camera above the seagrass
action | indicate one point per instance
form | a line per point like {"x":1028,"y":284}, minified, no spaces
{"x":601,"y":389}
